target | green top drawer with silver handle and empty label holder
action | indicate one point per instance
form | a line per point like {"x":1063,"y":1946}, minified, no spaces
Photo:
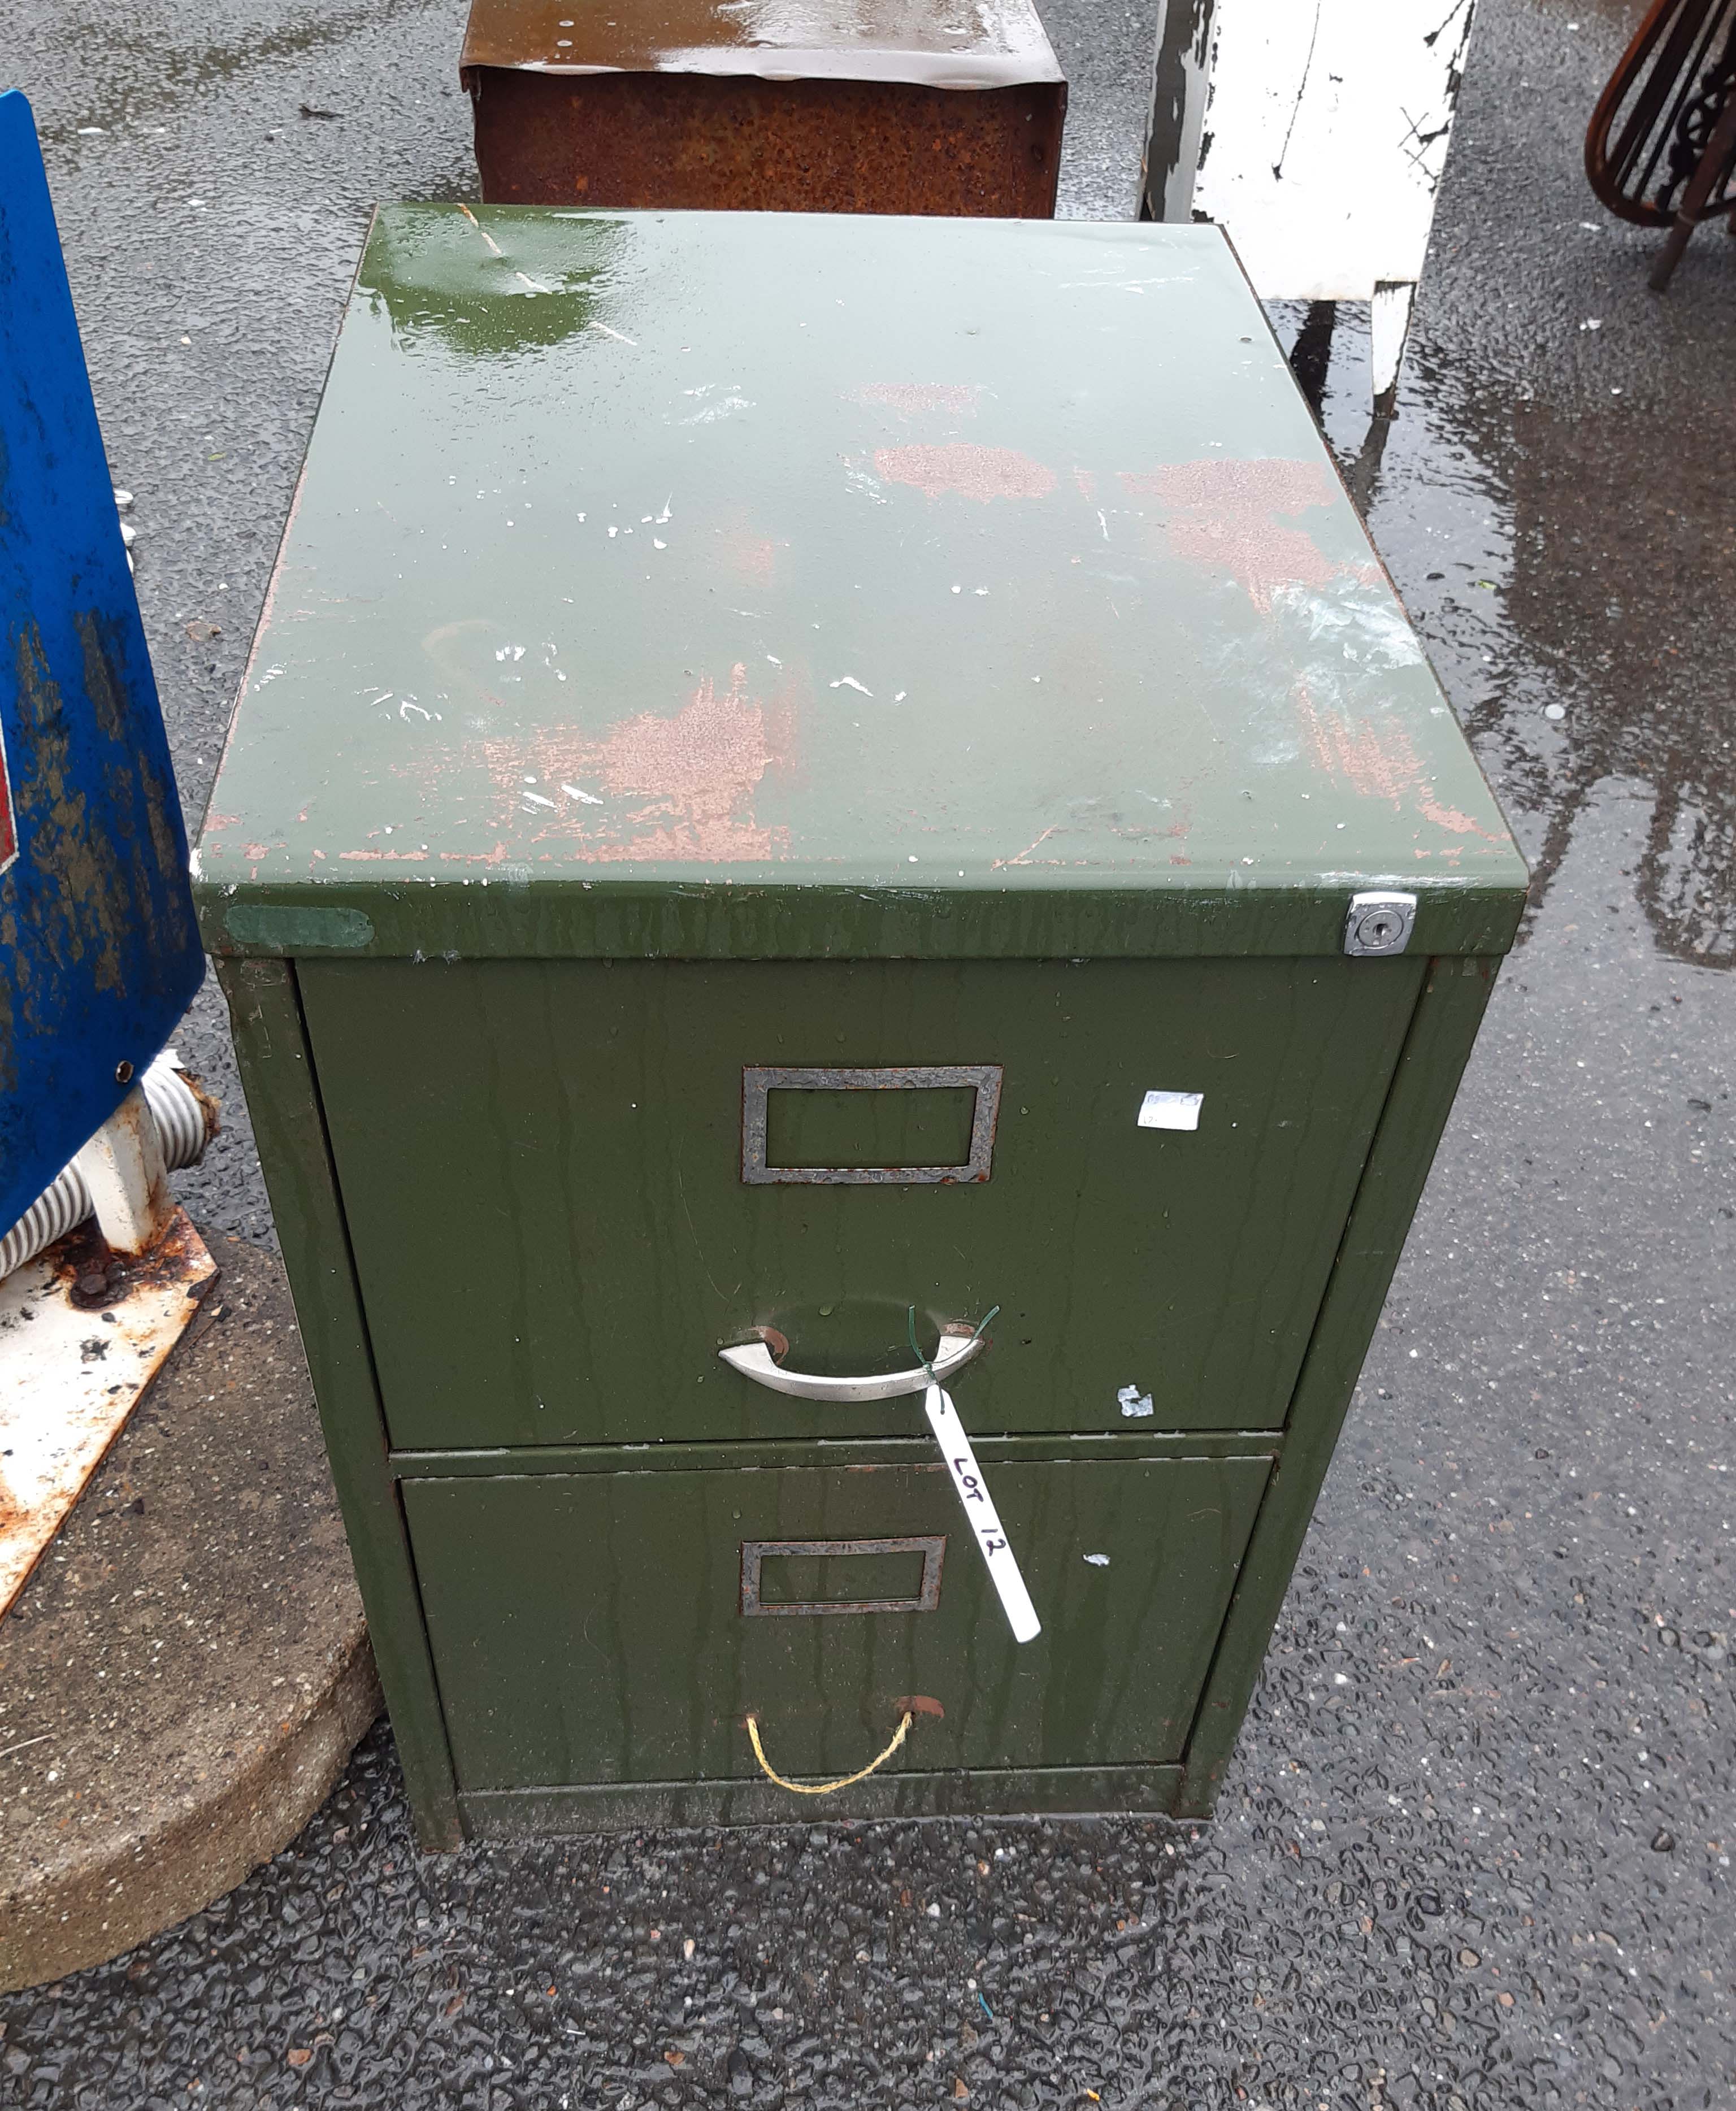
{"x":542,"y":1171}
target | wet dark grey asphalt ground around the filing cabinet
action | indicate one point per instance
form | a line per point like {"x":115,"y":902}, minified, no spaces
{"x":1475,"y":1850}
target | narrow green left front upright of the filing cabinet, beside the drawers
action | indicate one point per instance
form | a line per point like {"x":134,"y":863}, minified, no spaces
{"x":290,"y":1130}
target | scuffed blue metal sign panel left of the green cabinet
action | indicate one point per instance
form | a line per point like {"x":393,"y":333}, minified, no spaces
{"x":98,"y":947}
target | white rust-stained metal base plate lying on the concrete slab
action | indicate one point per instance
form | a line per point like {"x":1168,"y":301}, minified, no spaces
{"x":83,"y":1333}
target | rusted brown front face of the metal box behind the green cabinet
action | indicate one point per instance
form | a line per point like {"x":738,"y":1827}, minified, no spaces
{"x":782,"y":147}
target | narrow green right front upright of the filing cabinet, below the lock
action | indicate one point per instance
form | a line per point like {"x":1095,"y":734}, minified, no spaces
{"x":1424,"y":1086}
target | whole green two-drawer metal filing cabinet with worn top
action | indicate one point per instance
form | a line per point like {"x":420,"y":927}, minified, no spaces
{"x":799,"y":769}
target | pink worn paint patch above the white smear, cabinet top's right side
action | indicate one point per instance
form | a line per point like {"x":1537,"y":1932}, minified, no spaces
{"x":1230,"y":518}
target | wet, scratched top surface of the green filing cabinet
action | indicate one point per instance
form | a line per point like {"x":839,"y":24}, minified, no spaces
{"x":810,"y":554}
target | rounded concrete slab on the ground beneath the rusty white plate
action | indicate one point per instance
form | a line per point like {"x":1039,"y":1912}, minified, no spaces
{"x":187,"y":1673}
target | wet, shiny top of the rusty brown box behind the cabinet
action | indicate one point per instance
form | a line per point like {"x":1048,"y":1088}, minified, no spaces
{"x":928,"y":43}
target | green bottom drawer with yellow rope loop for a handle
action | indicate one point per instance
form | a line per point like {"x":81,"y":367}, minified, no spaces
{"x":614,"y":1629}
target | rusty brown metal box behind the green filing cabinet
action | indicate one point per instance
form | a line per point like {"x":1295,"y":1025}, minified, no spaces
{"x":888,"y":109}
